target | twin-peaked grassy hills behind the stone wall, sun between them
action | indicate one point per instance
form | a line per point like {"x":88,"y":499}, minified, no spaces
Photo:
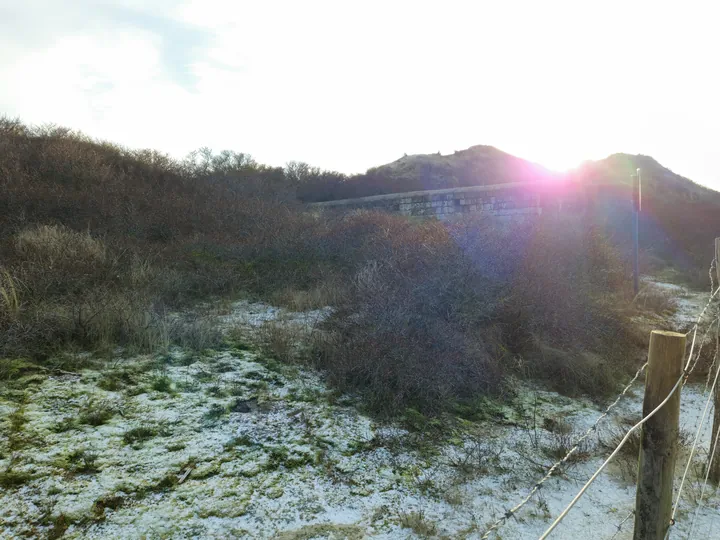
{"x":679,"y":221}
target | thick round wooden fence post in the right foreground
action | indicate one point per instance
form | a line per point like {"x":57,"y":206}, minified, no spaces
{"x":658,"y":442}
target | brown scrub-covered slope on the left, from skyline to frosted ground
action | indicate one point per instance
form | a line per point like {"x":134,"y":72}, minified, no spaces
{"x":96,"y":240}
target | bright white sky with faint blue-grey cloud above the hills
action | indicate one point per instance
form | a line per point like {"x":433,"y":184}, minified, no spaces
{"x":347,"y":85}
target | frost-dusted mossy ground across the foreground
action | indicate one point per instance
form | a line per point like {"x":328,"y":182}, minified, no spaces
{"x":231,"y":444}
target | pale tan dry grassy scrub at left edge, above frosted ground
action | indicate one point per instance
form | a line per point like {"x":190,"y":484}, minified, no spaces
{"x":76,"y":292}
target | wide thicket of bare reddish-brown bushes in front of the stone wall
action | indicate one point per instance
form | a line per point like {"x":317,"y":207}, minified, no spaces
{"x":437,"y":310}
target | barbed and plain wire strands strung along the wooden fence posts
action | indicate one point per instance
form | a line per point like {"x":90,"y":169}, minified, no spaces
{"x":693,"y":359}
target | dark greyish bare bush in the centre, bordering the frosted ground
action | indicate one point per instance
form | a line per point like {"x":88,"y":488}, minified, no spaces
{"x":408,"y":333}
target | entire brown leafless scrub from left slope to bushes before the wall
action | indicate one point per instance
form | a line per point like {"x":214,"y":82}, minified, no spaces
{"x":100,"y":244}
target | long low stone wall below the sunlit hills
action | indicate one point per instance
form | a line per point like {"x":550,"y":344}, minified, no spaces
{"x":511,"y":200}
